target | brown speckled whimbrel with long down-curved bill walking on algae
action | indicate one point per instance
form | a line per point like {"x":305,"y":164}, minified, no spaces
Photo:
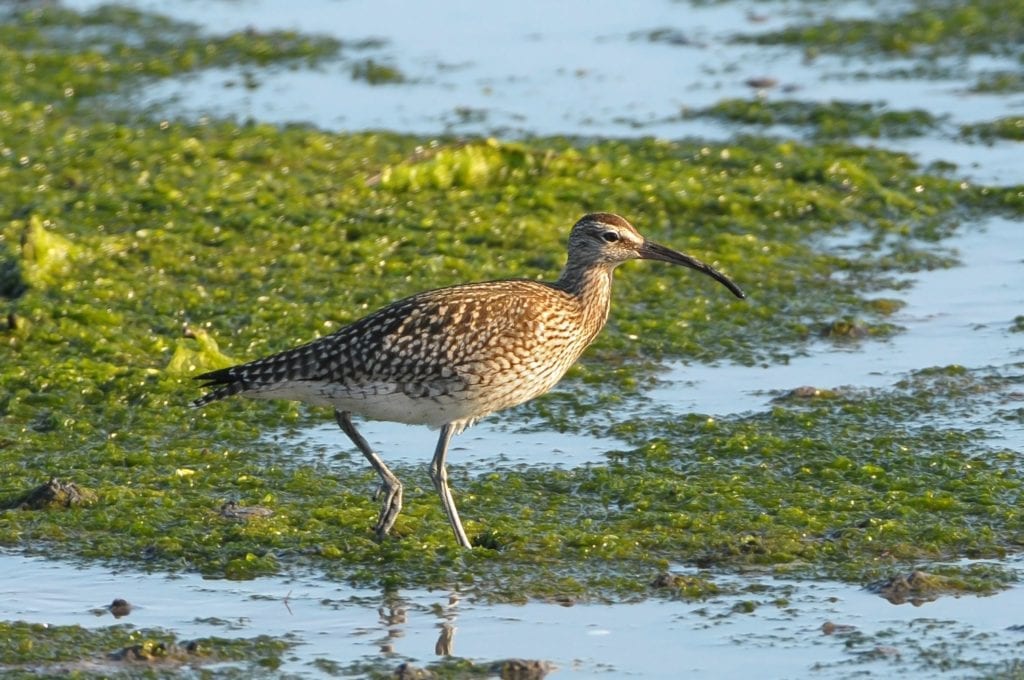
{"x":450,"y":357}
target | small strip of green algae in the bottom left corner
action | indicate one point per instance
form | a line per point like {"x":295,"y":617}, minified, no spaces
{"x":35,"y":650}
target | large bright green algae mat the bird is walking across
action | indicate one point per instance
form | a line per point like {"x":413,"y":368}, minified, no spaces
{"x":116,"y":235}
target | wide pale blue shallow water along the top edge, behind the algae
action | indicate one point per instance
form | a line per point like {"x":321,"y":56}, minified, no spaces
{"x":577,"y":68}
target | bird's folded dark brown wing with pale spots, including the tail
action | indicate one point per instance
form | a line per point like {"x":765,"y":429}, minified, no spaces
{"x":429,"y":345}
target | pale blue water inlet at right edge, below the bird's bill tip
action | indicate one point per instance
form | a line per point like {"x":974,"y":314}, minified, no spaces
{"x":960,"y":316}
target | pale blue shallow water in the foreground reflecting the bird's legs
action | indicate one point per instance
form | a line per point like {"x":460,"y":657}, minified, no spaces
{"x":651,"y":640}
